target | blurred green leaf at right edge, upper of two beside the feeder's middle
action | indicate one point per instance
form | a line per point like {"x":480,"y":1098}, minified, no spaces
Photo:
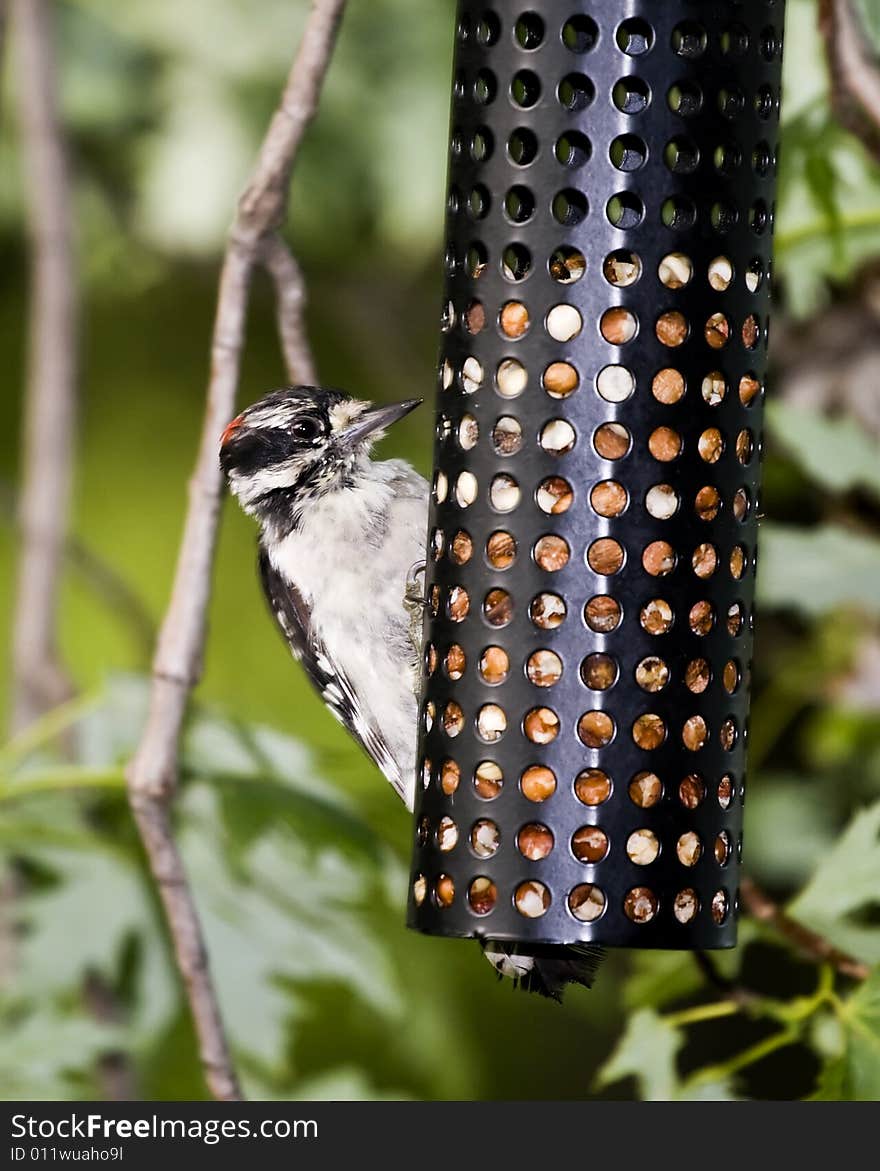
{"x":838,"y":454}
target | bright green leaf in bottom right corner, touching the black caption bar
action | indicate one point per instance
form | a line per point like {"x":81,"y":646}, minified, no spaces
{"x":855,"y":1077}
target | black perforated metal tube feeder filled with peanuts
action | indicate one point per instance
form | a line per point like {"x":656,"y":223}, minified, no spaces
{"x":592,"y":543}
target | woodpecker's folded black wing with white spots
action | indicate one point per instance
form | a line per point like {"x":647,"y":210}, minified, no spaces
{"x":292,"y":615}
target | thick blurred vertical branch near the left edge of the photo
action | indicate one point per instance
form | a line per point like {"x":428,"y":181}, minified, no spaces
{"x":39,"y":681}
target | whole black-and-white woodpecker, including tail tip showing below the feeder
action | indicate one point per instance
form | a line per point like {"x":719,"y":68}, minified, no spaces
{"x":339,"y":537}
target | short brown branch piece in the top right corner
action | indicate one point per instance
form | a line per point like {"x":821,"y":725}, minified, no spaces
{"x":855,"y":73}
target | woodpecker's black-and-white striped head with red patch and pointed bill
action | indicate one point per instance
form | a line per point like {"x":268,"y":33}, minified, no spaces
{"x":298,"y":444}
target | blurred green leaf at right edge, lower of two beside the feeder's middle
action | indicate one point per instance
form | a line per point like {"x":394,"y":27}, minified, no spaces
{"x":816,"y":570}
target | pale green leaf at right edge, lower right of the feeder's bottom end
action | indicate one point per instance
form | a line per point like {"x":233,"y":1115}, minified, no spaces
{"x":843,"y":893}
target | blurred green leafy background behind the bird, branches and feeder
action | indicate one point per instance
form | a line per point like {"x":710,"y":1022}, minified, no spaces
{"x":296,"y":847}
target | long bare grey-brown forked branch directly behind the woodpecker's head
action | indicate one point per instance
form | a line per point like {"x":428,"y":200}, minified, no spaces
{"x":178,"y":666}
